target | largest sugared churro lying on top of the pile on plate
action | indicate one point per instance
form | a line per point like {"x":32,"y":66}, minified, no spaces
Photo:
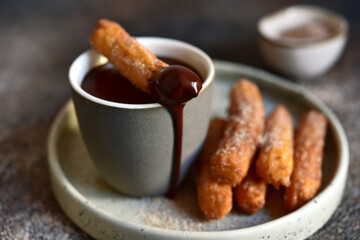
{"x":236,"y":149}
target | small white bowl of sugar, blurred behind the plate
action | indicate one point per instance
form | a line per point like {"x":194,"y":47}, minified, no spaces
{"x":302,"y":41}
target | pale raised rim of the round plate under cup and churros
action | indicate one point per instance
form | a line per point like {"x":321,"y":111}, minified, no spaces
{"x":220,"y":65}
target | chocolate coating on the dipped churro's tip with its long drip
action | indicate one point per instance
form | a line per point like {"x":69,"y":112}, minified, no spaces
{"x":173,"y":86}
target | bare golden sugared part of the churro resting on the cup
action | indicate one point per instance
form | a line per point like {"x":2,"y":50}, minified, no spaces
{"x":129,"y":57}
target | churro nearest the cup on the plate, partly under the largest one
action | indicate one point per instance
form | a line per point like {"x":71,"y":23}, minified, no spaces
{"x":214,"y":198}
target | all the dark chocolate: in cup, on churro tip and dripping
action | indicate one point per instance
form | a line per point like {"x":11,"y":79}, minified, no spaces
{"x":171,"y":86}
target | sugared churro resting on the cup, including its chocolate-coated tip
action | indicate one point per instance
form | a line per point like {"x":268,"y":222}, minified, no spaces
{"x":169,"y":85}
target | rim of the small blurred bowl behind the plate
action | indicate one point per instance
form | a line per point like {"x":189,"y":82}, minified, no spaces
{"x":340,"y":32}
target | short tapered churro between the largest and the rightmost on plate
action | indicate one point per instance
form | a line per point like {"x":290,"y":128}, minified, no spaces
{"x":275,"y":161}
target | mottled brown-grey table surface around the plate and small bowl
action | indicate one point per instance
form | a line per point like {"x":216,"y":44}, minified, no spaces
{"x":39,"y":40}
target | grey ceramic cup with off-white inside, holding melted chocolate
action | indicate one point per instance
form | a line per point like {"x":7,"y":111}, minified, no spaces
{"x":131,"y":145}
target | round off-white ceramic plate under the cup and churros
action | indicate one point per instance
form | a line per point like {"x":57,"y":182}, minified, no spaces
{"x":106,"y":214}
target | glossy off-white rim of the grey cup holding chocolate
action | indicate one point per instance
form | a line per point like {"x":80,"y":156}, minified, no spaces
{"x":76,"y":85}
